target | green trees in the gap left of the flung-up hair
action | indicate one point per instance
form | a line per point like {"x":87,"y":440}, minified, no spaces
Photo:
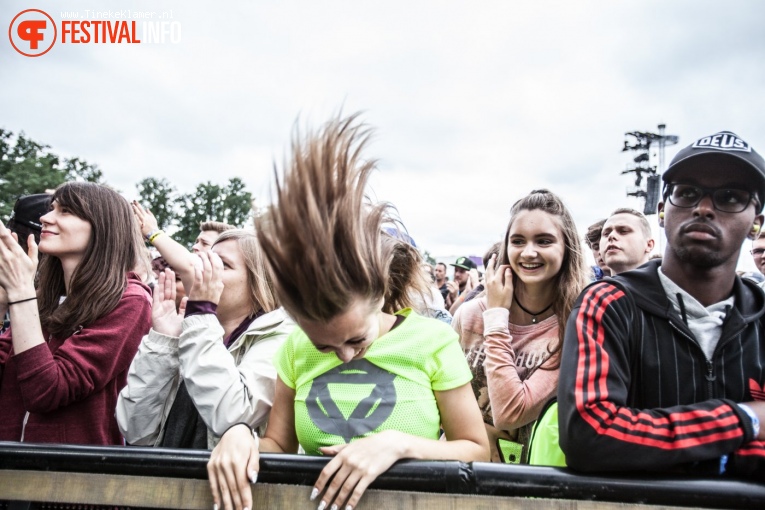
{"x":210,"y":202}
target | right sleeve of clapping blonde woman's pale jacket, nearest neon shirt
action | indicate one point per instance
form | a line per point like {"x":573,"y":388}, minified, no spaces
{"x":224,"y":393}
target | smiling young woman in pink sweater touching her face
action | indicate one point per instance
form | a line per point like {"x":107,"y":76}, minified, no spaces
{"x":512,"y":336}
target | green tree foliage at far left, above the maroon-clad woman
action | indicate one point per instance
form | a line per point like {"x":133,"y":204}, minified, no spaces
{"x":28,"y":167}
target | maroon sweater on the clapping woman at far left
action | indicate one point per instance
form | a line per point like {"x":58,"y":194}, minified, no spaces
{"x":69,"y":386}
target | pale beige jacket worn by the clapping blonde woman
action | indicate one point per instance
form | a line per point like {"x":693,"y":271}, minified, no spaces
{"x":227,"y":386}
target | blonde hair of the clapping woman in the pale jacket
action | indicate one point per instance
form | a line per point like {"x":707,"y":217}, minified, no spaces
{"x":259,"y":281}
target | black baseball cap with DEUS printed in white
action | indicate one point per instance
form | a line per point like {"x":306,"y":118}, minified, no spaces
{"x":727,"y":144}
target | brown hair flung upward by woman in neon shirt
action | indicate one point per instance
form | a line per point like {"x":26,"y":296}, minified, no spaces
{"x":323,"y":239}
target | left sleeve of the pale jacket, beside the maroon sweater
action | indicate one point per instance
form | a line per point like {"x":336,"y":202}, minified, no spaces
{"x":152,"y":382}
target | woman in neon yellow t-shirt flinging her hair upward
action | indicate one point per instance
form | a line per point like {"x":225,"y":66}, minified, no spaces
{"x":348,"y":293}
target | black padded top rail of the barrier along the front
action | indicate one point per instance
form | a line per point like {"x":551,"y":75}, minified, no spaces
{"x":419,"y":476}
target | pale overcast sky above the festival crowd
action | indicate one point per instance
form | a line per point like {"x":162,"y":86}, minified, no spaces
{"x":474,"y":103}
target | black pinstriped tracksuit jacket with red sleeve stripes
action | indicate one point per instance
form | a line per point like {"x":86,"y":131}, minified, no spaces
{"x":637,"y":392}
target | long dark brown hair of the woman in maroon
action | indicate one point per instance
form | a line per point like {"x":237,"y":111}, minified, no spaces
{"x":98,"y":282}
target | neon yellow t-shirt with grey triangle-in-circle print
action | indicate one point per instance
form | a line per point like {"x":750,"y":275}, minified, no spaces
{"x":390,"y":388}
